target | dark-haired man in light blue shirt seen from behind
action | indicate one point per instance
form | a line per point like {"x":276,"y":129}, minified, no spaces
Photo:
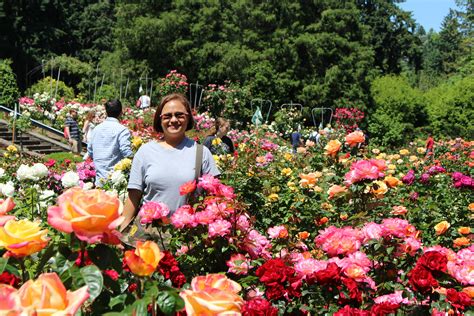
{"x":110,"y":142}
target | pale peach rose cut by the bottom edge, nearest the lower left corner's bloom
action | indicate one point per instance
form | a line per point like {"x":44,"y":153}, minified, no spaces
{"x":48,"y":296}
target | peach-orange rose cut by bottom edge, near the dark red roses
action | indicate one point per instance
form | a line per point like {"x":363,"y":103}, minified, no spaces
{"x":213,"y":294}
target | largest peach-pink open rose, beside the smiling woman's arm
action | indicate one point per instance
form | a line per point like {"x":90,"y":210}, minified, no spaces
{"x":92,"y":215}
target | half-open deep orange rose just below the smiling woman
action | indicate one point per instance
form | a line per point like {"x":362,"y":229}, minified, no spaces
{"x":144,"y":260}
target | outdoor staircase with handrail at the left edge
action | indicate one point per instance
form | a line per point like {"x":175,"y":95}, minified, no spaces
{"x":31,"y":142}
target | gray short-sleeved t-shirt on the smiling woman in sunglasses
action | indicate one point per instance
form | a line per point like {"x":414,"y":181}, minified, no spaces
{"x":159,"y":172}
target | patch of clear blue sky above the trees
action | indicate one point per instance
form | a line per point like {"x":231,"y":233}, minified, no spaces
{"x":429,"y":13}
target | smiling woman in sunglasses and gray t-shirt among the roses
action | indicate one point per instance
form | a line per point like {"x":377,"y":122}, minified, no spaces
{"x":159,"y":168}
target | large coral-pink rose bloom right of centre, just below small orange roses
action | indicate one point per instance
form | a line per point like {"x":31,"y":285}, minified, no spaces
{"x":365,"y":170}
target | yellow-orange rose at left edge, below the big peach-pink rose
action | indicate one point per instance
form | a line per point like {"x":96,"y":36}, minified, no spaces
{"x":23,"y":238}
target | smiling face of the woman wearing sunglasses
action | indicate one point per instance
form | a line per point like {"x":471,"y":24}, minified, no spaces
{"x":174,"y":119}
